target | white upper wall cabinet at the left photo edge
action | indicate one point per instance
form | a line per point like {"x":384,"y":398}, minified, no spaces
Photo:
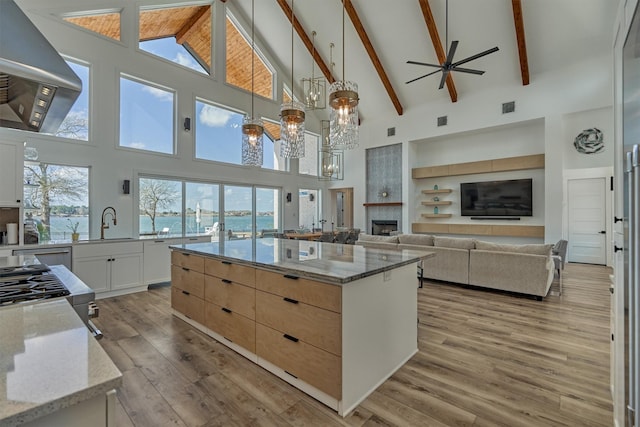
{"x":11,"y":173}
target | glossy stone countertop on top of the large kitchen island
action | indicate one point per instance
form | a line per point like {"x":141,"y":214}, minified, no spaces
{"x":325,"y":262}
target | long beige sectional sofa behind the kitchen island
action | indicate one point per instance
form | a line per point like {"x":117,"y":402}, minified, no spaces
{"x":526,"y":269}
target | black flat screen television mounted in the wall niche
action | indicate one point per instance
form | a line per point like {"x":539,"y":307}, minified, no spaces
{"x":497,"y":198}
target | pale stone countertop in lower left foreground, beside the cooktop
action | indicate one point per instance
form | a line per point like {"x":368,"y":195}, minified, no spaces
{"x":49,"y":360}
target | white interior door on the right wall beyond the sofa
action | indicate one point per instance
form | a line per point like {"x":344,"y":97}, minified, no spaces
{"x":587,"y":235}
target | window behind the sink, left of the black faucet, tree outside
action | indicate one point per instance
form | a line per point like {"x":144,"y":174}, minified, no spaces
{"x":56,"y":198}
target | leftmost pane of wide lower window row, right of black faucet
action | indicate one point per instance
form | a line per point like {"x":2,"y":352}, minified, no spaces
{"x":160,"y":207}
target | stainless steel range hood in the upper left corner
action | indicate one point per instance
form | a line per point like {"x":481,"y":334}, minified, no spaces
{"x":37,"y":86}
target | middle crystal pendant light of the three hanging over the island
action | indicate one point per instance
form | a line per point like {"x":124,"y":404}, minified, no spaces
{"x":292,"y":118}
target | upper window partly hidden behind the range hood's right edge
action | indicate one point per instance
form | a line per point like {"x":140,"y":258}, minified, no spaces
{"x":76,"y":124}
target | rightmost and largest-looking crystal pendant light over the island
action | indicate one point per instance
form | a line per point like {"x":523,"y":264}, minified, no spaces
{"x":343,"y":99}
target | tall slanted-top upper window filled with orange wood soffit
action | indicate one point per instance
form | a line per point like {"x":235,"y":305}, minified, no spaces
{"x":238,"y":66}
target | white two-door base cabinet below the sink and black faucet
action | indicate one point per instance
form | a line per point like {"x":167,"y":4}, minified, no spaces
{"x":110,"y":268}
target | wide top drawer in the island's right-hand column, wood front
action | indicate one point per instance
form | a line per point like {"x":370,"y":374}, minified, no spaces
{"x":300,"y":289}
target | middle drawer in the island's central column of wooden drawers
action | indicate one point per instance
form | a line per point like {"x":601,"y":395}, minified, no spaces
{"x":235,"y":296}
